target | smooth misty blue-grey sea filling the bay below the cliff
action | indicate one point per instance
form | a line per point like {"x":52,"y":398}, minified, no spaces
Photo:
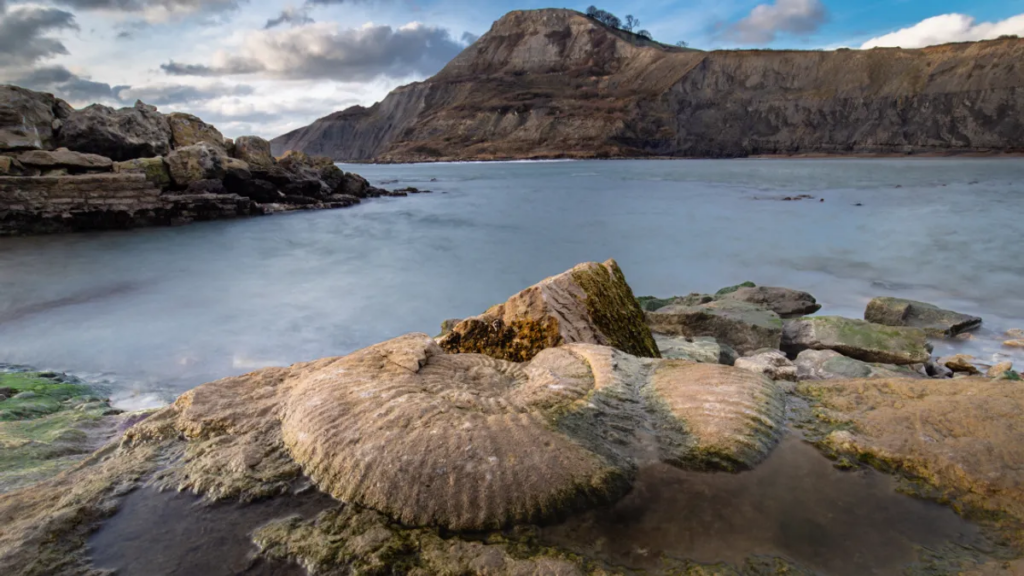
{"x":156,"y":312}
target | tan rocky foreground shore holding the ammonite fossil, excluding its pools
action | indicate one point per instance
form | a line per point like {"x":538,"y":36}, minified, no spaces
{"x":448,"y":455}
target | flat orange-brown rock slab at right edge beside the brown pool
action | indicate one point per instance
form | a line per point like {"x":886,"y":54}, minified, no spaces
{"x":958,"y":441}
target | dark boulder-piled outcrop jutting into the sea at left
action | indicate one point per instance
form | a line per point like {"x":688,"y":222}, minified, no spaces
{"x":99,"y":169}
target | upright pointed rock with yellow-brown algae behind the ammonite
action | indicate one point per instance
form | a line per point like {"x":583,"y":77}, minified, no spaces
{"x":591,"y":304}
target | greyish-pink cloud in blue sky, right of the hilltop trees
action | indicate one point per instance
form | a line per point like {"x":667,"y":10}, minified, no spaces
{"x":767,"y":21}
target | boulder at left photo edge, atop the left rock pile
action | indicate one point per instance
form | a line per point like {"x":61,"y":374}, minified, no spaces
{"x":29,"y":119}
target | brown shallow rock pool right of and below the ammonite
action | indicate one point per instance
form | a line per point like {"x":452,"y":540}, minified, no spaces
{"x":795,"y":506}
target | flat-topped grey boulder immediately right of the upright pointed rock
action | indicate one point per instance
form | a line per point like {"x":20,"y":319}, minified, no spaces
{"x":744,"y":326}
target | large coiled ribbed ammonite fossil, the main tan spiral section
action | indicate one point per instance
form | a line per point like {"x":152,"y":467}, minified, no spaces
{"x":461,"y":441}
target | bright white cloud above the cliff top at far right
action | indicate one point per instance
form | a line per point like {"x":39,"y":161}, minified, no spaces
{"x":948,"y":28}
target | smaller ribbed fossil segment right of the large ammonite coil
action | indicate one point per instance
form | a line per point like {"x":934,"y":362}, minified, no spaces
{"x":734,"y":418}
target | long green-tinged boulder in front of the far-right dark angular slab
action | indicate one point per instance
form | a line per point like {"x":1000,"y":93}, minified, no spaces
{"x":858,"y":339}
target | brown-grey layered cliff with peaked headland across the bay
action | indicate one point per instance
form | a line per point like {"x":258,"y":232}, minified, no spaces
{"x":554,"y":84}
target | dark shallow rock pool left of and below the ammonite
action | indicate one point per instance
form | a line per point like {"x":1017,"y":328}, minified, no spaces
{"x":175,"y":534}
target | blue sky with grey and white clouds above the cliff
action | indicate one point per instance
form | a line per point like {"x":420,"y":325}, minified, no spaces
{"x":267,"y":67}
